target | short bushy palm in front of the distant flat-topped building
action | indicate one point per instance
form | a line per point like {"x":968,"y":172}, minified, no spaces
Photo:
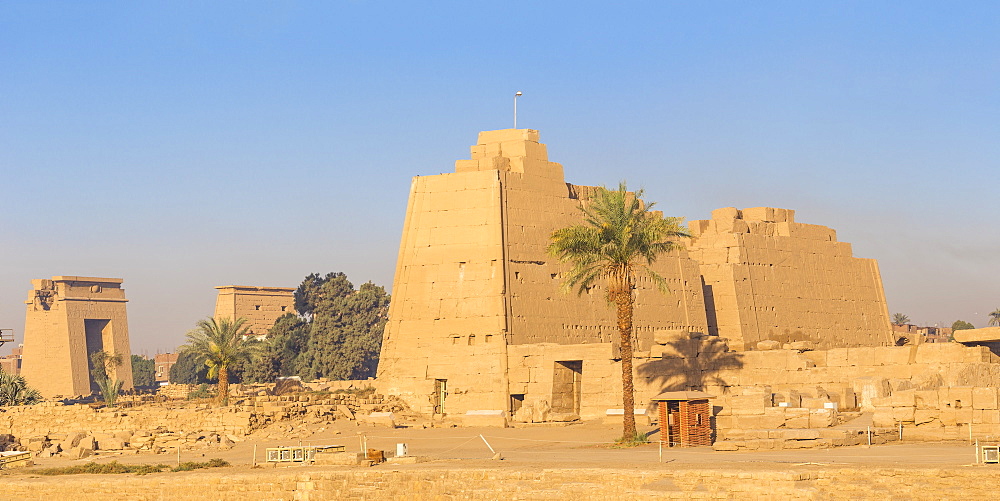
{"x":221,"y":344}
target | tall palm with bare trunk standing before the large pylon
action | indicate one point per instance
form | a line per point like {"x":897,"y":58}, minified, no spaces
{"x":620,"y":236}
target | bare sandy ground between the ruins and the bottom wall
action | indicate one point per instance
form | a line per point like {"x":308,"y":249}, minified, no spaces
{"x":584,"y":445}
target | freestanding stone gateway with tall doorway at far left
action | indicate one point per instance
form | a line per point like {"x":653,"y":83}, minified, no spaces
{"x":67,"y":319}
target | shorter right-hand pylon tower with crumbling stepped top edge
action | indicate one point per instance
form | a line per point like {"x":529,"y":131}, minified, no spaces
{"x":769,"y":277}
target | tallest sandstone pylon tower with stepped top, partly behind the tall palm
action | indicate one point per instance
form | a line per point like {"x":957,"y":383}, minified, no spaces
{"x":473,"y":280}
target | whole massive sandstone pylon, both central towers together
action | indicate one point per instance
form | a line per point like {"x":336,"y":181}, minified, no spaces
{"x":478,"y":321}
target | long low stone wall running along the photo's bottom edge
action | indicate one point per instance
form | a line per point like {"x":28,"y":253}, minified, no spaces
{"x":578,"y":484}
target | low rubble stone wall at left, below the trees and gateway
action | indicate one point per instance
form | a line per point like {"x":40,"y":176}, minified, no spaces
{"x":76,"y":430}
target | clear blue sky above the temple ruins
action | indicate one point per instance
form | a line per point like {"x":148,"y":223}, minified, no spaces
{"x":184,"y":145}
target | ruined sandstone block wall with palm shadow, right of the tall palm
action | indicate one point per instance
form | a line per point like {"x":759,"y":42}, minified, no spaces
{"x":934,"y":391}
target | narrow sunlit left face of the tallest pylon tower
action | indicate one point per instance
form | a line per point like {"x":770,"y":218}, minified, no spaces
{"x":446,"y":318}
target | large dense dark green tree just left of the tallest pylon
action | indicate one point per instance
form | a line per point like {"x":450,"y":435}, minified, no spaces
{"x":345,"y":327}
